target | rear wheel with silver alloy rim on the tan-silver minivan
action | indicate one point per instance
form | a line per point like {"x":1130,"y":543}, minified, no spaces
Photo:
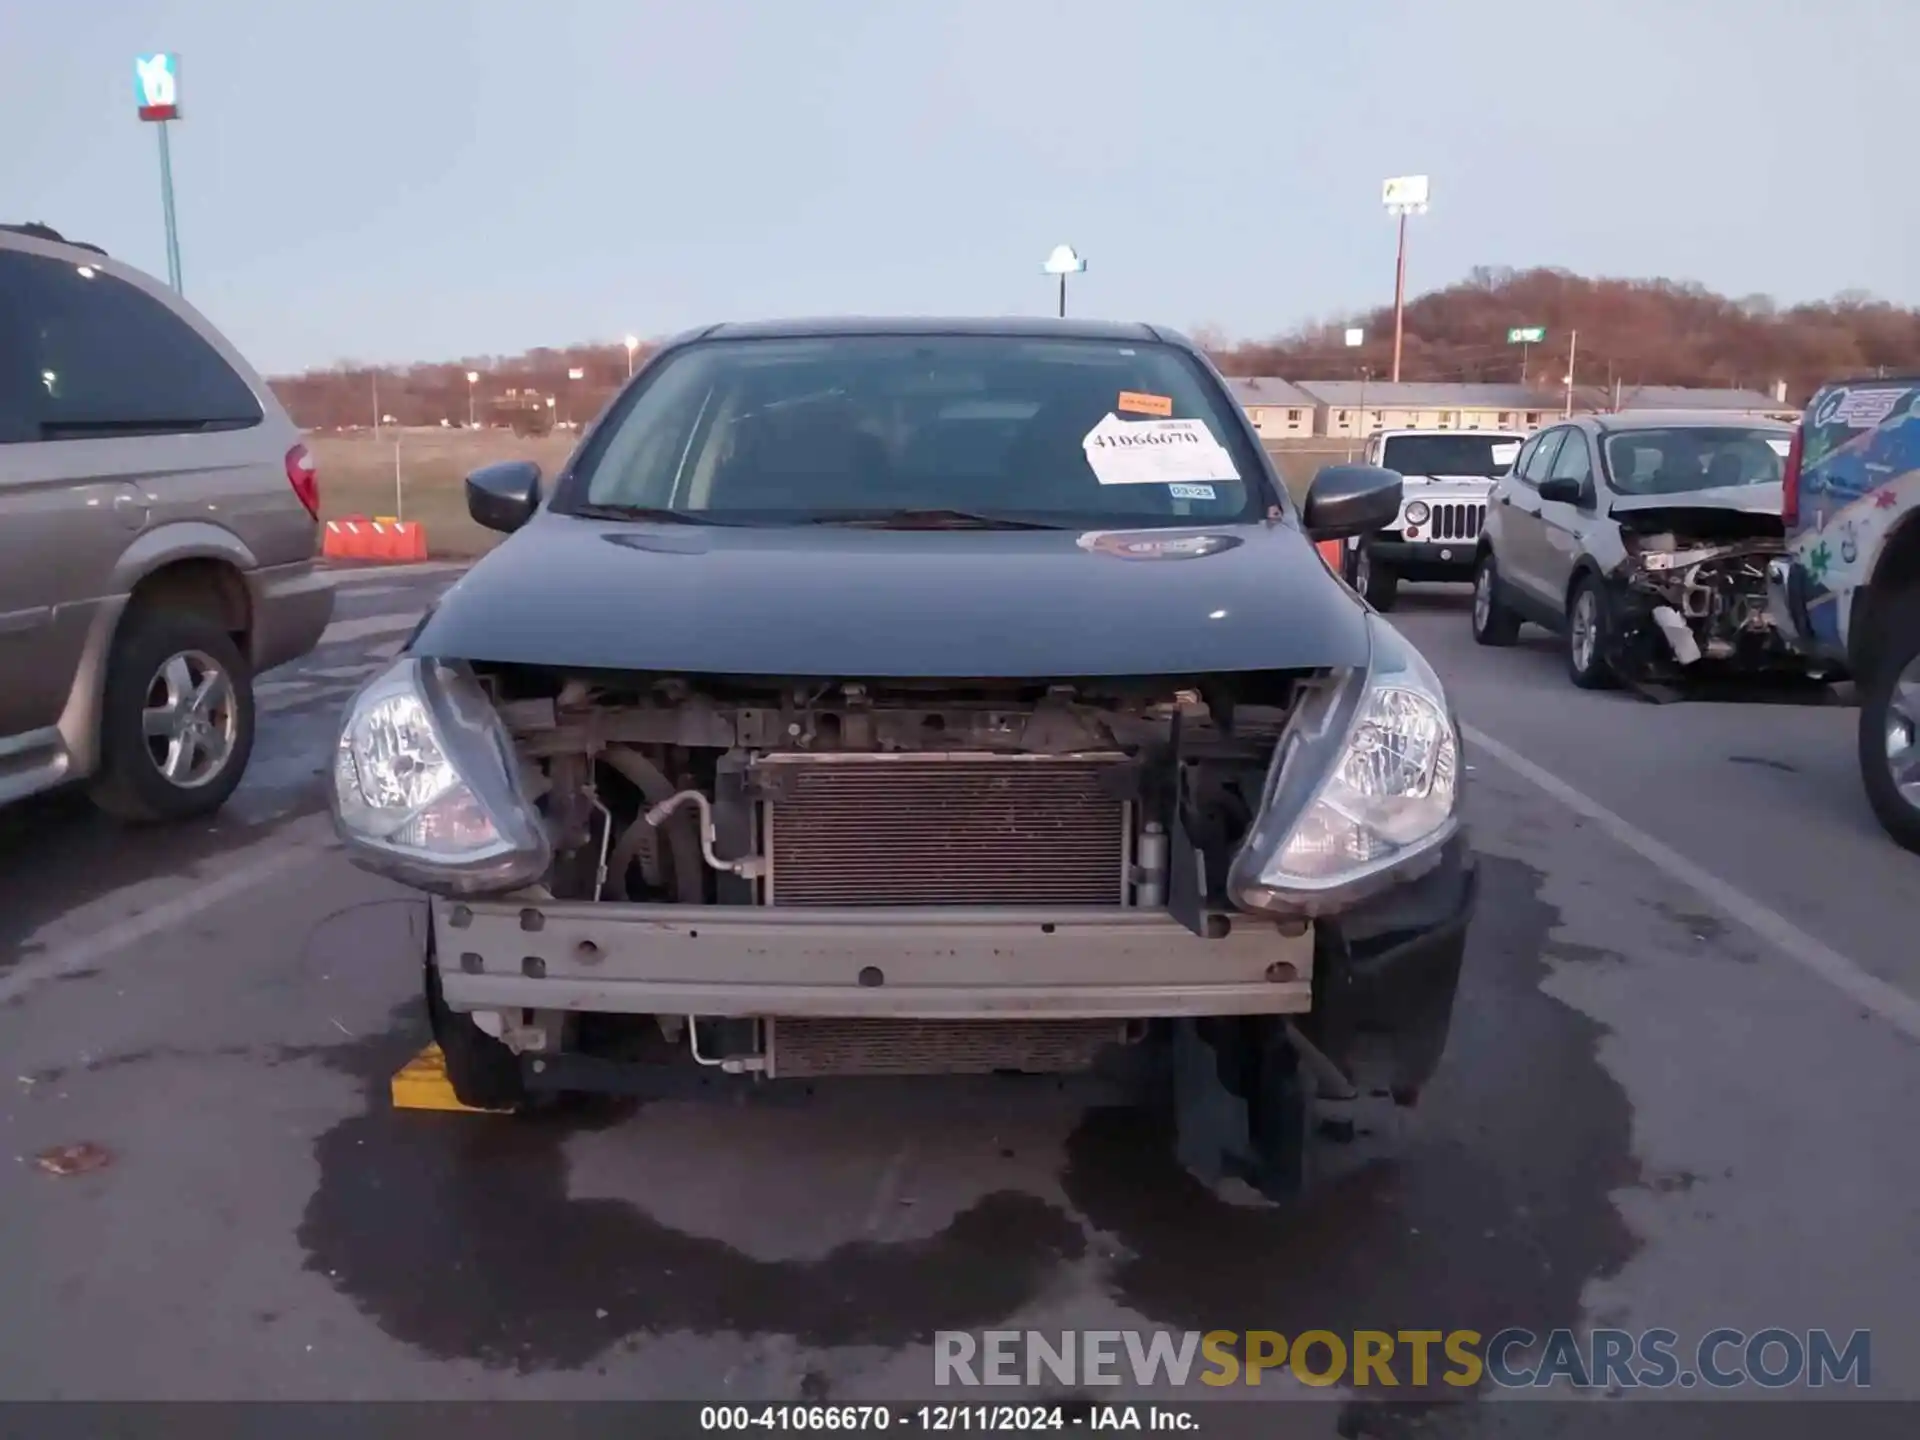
{"x":176,"y":669}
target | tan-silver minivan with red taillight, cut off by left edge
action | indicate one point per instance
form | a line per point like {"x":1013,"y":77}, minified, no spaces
{"x":158,"y":537}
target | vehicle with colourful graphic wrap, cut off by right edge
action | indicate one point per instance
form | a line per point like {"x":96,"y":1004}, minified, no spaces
{"x":1850,"y":585}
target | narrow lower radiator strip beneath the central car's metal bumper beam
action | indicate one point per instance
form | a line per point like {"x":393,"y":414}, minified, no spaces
{"x":938,"y":1047}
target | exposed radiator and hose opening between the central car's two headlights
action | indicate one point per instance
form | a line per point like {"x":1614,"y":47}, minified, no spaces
{"x":677,"y":790}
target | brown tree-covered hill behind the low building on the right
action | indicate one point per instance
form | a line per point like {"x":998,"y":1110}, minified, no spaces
{"x":1635,"y":333}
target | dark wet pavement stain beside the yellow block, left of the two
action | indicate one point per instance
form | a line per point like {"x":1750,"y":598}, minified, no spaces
{"x":456,"y":1236}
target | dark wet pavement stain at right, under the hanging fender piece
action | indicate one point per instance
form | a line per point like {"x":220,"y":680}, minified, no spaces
{"x":1495,"y":1214}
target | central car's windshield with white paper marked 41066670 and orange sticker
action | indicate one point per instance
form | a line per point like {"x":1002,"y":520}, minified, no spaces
{"x":953,"y":429}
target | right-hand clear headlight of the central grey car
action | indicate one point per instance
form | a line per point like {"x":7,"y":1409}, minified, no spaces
{"x":1364,"y":788}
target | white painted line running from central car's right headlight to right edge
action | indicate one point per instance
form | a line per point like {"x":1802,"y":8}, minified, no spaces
{"x":1808,"y":951}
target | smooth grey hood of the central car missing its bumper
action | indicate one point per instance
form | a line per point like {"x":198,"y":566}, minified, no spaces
{"x":900,"y":604}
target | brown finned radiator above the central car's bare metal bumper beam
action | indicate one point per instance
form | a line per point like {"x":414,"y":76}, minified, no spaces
{"x":946,"y":830}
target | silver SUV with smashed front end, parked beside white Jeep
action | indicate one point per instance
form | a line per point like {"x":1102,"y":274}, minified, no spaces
{"x":1644,"y":540}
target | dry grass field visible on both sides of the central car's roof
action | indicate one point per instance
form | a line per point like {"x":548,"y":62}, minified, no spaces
{"x":358,"y":475}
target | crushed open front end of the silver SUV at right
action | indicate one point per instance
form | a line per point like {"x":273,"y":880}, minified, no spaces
{"x":1692,"y":594}
